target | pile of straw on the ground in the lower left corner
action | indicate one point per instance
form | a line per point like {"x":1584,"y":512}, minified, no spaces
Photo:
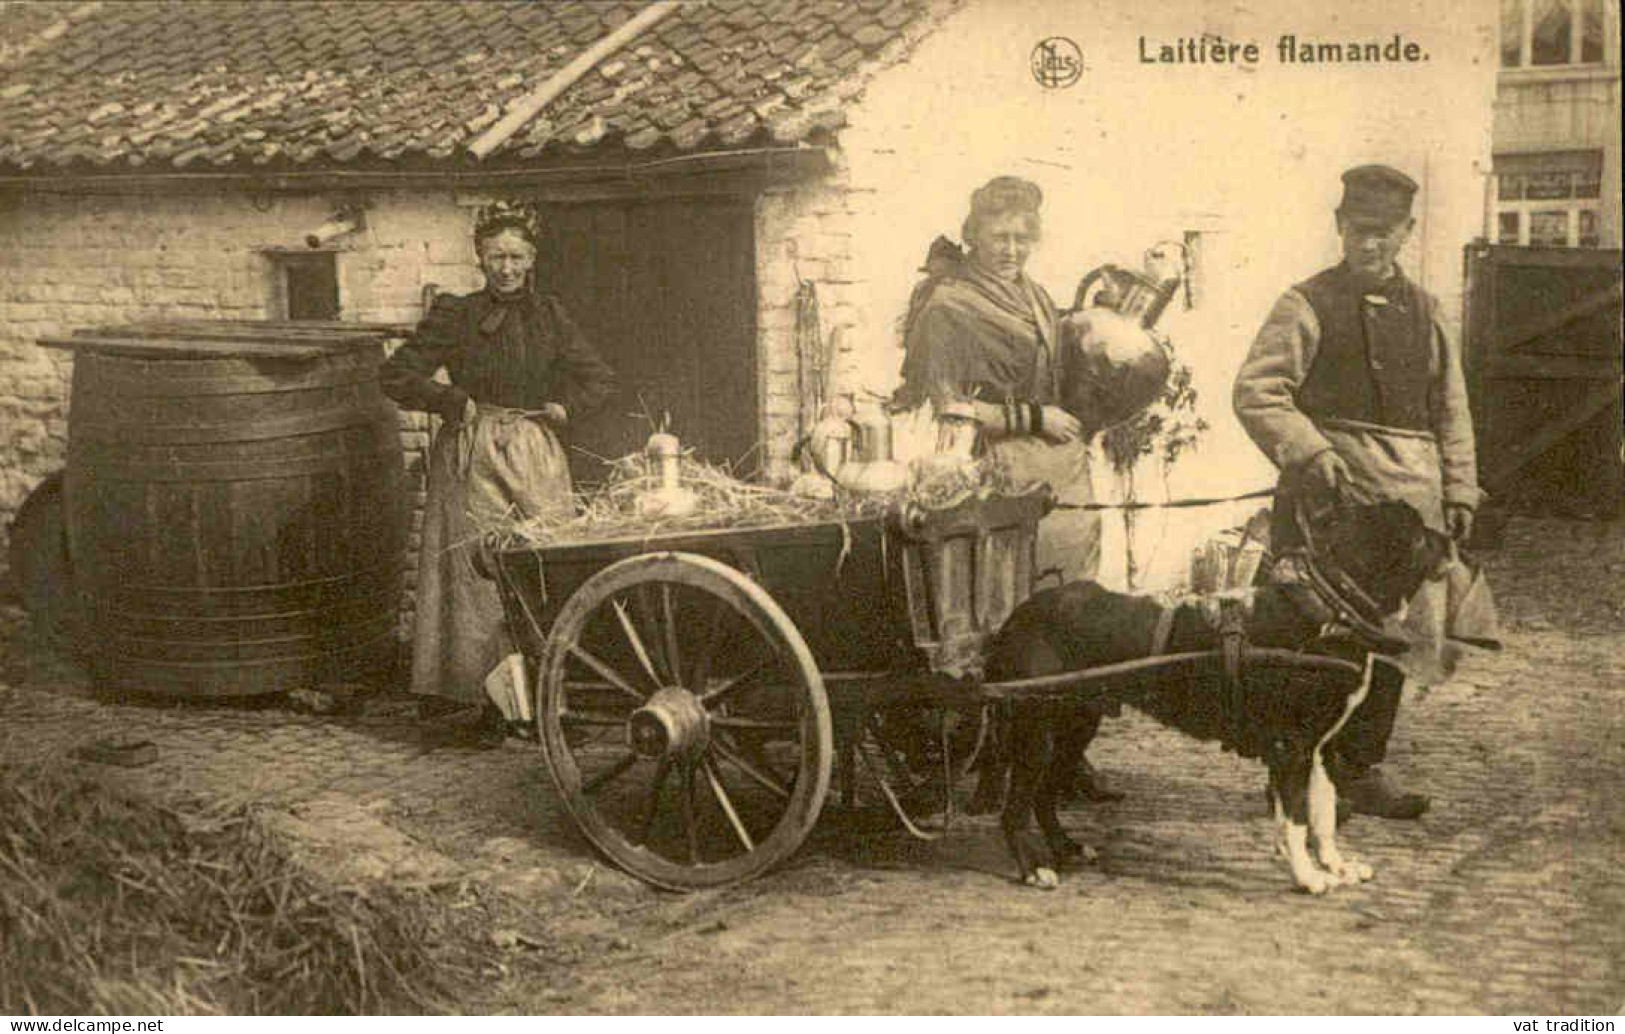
{"x":111,"y":905}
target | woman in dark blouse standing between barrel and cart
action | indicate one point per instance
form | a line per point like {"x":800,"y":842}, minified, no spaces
{"x":521,"y":373}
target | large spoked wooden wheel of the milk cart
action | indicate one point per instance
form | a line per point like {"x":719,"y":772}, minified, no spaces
{"x":685,"y":721}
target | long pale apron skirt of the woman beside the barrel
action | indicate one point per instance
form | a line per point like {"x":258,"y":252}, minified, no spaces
{"x":505,"y":467}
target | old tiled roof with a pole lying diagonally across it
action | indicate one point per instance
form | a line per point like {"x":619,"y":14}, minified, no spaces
{"x":293,"y":85}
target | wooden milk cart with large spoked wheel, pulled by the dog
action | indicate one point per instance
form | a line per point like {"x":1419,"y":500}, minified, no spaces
{"x":695,"y":690}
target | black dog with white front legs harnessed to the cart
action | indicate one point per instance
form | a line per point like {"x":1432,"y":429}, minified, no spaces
{"x":1369,"y":560}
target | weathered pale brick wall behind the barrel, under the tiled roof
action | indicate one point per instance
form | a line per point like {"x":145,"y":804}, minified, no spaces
{"x":69,"y":263}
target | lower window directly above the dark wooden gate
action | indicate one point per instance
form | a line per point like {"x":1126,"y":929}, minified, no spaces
{"x":1549,"y":201}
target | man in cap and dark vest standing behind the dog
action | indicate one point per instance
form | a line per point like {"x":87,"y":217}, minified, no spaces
{"x":1354,"y":391}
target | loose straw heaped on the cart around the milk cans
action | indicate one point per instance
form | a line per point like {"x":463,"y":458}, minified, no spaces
{"x":726,"y":503}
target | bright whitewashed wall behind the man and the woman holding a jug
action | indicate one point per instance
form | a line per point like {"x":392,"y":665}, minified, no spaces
{"x":1135,"y":154}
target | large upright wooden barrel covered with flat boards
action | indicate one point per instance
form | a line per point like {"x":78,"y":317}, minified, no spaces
{"x":236,"y":515}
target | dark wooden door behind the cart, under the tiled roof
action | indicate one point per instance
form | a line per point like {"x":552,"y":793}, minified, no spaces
{"x":667,"y":293}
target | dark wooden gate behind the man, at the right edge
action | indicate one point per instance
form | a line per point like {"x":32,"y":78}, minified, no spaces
{"x":1545,"y":368}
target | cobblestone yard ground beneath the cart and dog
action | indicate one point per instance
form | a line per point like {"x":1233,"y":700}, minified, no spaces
{"x":1507,"y":898}
